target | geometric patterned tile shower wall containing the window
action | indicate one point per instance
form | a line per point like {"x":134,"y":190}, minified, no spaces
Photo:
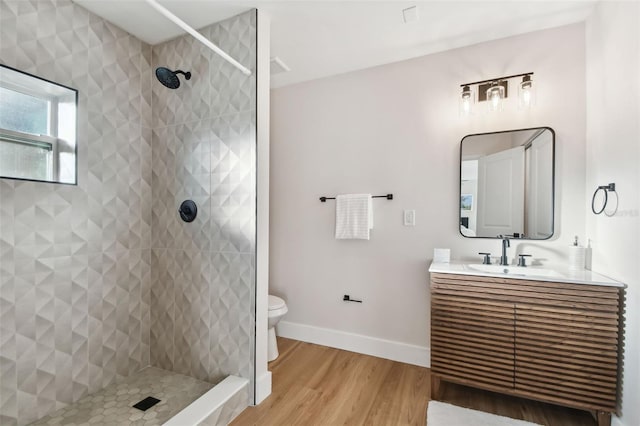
{"x":75,"y":261}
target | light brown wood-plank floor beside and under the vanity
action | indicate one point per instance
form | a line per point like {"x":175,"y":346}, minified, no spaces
{"x":317,"y":385}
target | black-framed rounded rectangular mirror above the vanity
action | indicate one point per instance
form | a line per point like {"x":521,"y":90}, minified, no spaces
{"x":507,"y":182}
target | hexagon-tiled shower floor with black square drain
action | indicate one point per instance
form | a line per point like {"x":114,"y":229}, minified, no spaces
{"x":113,"y":404}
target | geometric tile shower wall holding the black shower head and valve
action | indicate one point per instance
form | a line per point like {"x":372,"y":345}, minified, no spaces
{"x":204,"y":148}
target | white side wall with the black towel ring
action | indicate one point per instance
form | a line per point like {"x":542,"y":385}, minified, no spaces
{"x":613,"y":155}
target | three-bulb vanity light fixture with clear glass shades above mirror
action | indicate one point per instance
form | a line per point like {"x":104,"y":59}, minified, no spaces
{"x":494,"y":91}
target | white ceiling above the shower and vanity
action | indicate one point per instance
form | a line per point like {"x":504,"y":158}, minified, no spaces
{"x":321,"y":38}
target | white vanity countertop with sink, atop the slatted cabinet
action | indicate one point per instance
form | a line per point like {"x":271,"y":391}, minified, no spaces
{"x":517,"y":272}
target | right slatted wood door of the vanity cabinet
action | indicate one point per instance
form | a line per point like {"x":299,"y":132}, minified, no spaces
{"x":569,"y":355}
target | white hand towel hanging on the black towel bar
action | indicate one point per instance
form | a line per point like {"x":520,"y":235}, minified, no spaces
{"x":354,"y":216}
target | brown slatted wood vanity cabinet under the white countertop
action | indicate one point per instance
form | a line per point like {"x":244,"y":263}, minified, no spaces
{"x":549,"y":341}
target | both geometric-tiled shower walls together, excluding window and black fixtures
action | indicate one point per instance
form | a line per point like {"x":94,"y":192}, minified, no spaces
{"x":101,"y":279}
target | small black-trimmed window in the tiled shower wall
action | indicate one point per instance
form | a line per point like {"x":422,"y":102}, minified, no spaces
{"x":38,"y":128}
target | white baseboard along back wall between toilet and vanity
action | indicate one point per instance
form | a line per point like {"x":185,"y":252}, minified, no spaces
{"x":382,"y":348}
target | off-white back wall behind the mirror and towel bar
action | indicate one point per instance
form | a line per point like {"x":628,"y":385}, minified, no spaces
{"x":396,"y":128}
